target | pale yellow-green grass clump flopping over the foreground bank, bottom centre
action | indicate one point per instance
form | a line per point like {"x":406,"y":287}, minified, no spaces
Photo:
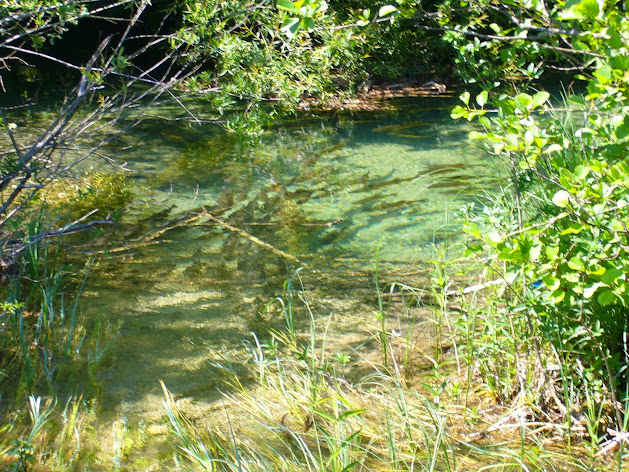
{"x":305,"y":411}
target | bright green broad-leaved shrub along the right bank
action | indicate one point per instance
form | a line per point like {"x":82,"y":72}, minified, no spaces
{"x":560,"y":230}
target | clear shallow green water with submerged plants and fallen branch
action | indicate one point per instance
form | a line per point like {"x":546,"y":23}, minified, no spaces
{"x":330,"y":194}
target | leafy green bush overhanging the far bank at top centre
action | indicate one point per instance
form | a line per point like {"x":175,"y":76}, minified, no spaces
{"x":254,"y":62}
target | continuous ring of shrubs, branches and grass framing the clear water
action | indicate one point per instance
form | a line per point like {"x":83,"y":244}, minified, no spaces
{"x":522,"y":365}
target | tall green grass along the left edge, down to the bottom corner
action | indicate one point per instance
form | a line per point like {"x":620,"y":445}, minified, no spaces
{"x":43,"y":343}
